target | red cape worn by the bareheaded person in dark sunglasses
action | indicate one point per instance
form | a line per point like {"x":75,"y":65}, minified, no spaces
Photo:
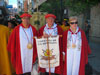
{"x":85,"y":50}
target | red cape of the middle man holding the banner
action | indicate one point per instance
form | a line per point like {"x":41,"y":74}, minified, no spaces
{"x":58,"y":69}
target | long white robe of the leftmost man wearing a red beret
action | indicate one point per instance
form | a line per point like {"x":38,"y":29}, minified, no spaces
{"x":26,"y":54}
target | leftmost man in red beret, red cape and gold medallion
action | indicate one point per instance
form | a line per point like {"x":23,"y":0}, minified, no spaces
{"x":22,"y":46}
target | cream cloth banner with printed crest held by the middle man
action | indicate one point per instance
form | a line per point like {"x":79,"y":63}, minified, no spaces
{"x":44,"y":52}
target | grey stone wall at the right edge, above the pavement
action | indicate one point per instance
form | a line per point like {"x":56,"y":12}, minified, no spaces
{"x":95,"y":23}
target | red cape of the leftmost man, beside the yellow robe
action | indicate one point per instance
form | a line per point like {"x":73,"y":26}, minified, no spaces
{"x":14,"y":48}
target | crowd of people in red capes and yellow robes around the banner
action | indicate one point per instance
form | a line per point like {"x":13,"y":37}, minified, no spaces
{"x":18,"y":50}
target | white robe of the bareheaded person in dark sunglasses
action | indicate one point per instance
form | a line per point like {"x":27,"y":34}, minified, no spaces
{"x":73,"y":54}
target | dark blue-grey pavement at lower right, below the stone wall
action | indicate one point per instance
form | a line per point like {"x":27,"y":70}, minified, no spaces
{"x":94,"y":58}
